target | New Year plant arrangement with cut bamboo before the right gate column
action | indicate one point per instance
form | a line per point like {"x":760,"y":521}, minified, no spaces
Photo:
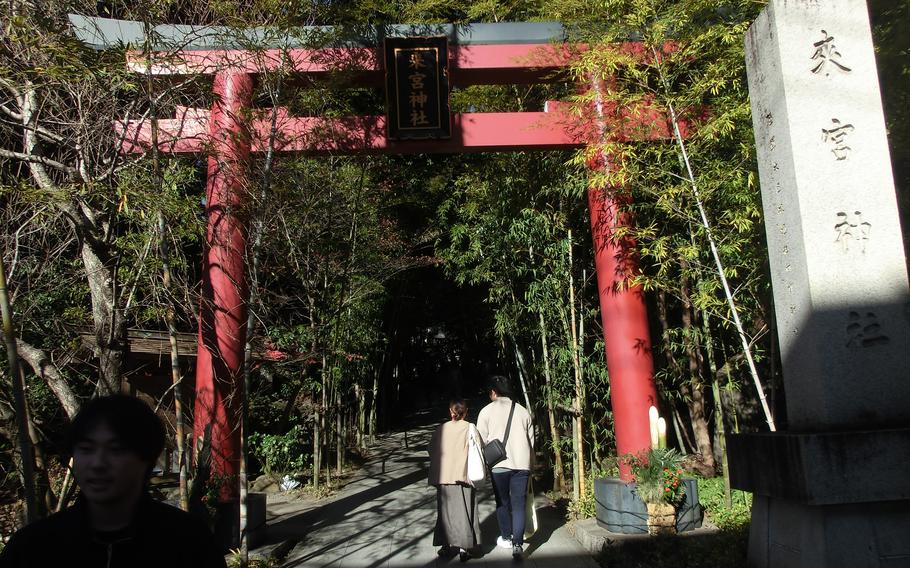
{"x":656,"y":474}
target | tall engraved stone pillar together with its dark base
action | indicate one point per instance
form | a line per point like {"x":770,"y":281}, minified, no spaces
{"x":832,"y":490}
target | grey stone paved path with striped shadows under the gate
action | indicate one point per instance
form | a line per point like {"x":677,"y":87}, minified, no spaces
{"x":385,"y":517}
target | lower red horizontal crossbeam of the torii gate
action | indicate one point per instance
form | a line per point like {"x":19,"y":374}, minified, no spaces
{"x":559,"y":128}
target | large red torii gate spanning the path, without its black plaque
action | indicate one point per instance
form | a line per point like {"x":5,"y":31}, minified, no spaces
{"x":491,"y":54}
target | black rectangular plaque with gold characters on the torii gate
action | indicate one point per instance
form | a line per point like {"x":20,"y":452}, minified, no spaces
{"x":417,"y":88}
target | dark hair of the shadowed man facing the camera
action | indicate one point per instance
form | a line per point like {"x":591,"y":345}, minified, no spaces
{"x":136,"y":425}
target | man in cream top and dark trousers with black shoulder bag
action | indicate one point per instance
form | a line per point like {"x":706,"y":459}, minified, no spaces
{"x":510,"y":476}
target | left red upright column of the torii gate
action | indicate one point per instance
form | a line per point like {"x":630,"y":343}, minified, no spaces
{"x":222,"y":319}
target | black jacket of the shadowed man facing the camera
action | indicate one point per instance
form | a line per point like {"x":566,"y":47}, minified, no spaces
{"x":159,"y":536}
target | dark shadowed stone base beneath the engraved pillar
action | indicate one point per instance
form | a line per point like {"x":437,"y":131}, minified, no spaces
{"x":831,"y":499}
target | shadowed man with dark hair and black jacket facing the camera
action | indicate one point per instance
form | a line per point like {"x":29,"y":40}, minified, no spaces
{"x":114,"y":442}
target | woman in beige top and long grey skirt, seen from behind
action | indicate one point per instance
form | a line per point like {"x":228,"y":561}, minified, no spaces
{"x":457,"y":526}
